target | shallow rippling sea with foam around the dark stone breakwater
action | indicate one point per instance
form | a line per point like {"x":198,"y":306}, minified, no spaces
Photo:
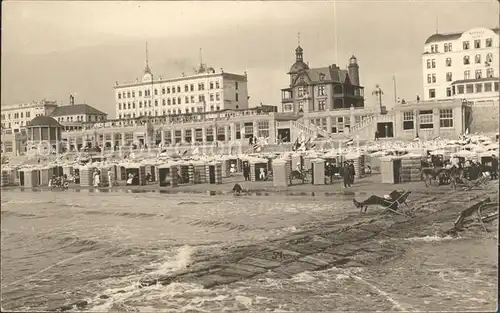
{"x":58,"y":248}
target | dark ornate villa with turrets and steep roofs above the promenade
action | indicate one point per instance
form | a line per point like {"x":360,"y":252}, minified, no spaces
{"x":324,"y":96}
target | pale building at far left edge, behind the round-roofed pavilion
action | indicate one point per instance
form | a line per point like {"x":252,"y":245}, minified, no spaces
{"x":16,"y":117}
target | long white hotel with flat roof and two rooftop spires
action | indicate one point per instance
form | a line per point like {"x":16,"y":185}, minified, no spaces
{"x":205,"y":91}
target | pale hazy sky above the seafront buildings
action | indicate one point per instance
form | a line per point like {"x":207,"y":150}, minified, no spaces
{"x":53,"y":49}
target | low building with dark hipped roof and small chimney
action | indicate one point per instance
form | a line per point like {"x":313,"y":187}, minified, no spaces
{"x":72,"y":116}
